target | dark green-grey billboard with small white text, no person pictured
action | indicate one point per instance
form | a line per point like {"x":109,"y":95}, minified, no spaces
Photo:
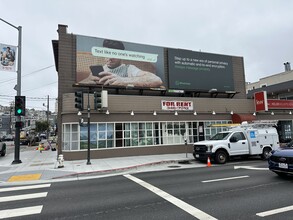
{"x":197,"y":71}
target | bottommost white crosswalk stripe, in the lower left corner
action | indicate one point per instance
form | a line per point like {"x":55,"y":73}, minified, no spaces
{"x":9,"y":213}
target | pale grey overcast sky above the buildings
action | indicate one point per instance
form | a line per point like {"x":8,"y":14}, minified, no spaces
{"x":260,"y":31}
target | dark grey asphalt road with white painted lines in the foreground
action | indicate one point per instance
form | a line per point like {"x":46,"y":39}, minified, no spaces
{"x":238,"y":190}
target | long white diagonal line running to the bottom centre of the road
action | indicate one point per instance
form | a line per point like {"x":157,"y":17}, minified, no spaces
{"x":177,"y":202}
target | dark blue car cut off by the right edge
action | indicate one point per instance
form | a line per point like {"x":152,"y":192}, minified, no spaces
{"x":281,"y":160}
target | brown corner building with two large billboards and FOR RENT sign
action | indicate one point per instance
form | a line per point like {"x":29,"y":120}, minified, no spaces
{"x":197,"y":91}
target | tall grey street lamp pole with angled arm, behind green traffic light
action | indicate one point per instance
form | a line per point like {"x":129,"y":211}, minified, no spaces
{"x":18,"y":91}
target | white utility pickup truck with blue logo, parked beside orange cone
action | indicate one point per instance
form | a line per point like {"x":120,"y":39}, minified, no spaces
{"x":239,"y":141}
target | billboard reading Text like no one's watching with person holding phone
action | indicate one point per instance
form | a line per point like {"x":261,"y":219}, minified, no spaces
{"x":118,"y":64}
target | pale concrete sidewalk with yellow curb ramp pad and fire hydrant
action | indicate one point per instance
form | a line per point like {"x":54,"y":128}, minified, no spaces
{"x":44,"y":166}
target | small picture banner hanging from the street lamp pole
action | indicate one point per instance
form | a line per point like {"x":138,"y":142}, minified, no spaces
{"x":7,"y":58}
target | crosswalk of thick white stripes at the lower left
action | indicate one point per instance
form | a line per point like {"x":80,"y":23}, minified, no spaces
{"x":22,"y":195}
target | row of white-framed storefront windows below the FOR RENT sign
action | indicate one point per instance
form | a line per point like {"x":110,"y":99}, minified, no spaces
{"x":108,"y":135}
